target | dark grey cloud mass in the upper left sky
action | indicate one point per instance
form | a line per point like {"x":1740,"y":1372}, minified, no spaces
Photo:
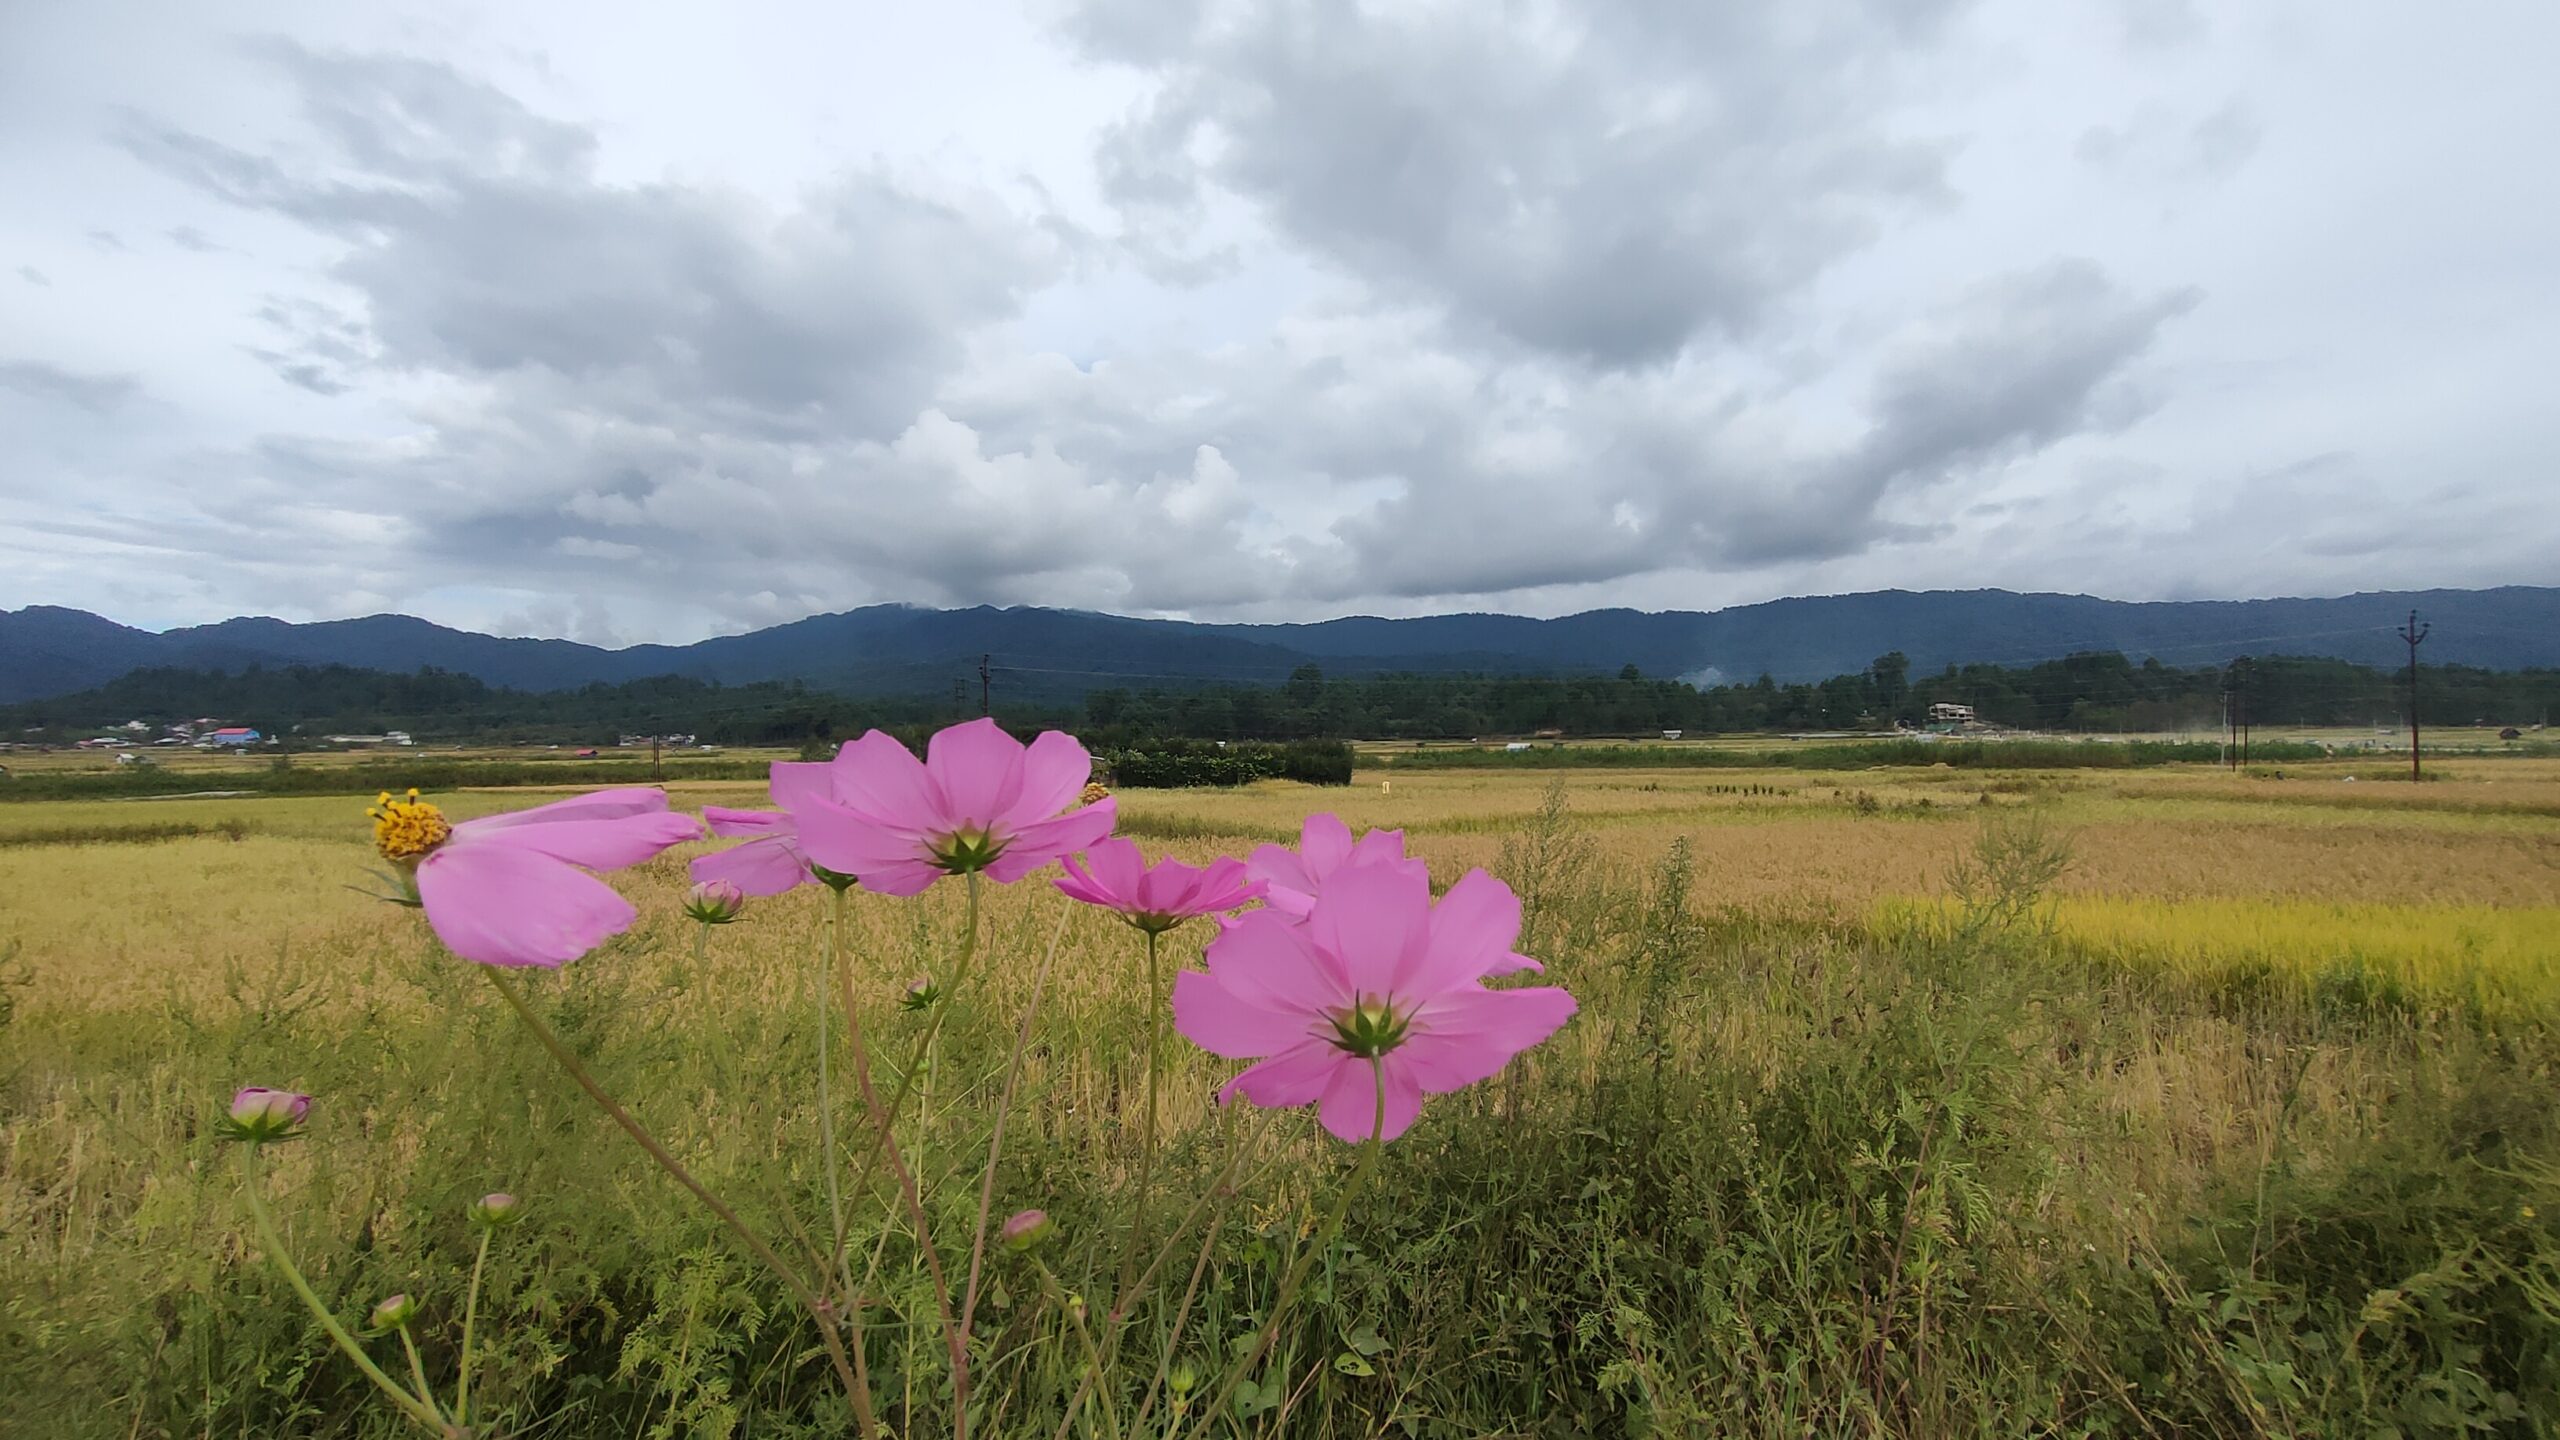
{"x":483,"y":242}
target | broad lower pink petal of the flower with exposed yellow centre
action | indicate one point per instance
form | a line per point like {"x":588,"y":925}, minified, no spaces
{"x":508,"y":906}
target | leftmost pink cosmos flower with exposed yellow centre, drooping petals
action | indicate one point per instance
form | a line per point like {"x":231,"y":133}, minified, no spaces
{"x":506,"y":890}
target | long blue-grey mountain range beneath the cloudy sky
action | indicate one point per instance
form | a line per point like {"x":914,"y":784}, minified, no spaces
{"x":905,"y":650}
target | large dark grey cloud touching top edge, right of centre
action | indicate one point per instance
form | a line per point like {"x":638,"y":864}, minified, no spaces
{"x":1601,"y":183}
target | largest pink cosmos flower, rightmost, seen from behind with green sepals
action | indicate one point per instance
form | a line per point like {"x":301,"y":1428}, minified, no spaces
{"x":1376,"y":985}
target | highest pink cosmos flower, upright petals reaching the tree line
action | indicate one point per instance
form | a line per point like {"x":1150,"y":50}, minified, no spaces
{"x":979,"y":801}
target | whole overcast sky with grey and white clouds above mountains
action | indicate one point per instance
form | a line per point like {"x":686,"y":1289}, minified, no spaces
{"x":646,"y":324}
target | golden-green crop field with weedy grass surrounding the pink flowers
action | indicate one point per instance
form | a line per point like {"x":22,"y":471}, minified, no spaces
{"x":1898,"y":1103}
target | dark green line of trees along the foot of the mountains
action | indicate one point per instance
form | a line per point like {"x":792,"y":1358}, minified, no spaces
{"x":2093,"y":693}
